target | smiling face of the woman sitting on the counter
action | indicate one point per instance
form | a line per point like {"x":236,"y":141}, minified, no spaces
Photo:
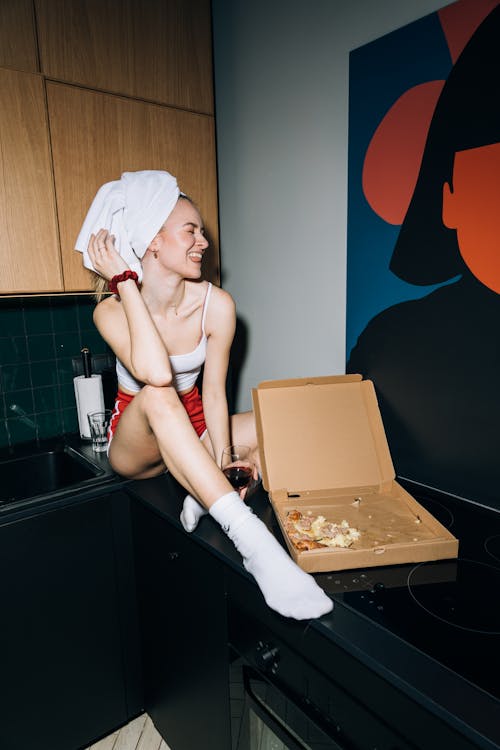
{"x":181,"y":242}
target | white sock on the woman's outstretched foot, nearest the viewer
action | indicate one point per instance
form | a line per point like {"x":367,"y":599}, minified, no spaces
{"x":286,"y":588}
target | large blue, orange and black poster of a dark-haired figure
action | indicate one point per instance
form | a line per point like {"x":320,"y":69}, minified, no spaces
{"x":423,"y":279}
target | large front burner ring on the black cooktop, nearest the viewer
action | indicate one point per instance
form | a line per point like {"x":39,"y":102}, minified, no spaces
{"x":465,"y":602}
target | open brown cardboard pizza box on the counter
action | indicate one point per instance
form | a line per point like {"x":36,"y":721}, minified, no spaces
{"x":324,"y":452}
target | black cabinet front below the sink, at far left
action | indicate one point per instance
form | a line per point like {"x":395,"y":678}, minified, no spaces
{"x":70,"y":669}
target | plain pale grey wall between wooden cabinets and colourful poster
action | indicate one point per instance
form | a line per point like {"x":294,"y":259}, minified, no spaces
{"x":281,"y":84}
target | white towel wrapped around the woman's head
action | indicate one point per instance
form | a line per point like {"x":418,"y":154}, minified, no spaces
{"x":133,"y":209}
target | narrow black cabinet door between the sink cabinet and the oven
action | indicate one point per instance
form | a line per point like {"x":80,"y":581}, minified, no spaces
{"x":184,"y":634}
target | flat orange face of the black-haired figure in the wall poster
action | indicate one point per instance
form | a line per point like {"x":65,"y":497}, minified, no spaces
{"x":472,"y":207}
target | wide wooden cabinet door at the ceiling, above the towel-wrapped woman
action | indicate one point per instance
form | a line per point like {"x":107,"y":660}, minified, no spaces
{"x":158,"y":49}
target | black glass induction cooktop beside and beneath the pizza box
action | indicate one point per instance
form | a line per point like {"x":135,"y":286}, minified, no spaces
{"x":449,"y":609}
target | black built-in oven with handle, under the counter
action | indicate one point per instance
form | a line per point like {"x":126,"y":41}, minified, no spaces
{"x":281,"y":701}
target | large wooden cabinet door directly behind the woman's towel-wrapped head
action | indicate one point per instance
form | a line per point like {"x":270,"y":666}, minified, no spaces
{"x":96,"y":137}
